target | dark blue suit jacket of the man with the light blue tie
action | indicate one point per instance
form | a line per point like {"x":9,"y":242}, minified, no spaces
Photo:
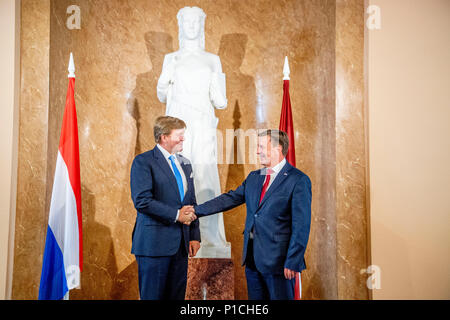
{"x":156,"y":198}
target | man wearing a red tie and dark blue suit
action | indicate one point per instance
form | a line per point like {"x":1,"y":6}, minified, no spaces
{"x":278,"y":200}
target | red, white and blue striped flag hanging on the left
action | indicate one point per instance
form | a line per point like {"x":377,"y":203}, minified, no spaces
{"x":63,"y":257}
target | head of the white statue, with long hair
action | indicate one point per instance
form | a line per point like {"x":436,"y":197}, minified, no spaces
{"x":191,"y":25}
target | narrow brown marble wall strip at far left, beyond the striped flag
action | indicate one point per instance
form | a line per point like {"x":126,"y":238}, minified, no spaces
{"x":31,"y":216}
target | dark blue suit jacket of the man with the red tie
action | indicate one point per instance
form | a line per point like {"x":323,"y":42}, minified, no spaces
{"x":281,"y":222}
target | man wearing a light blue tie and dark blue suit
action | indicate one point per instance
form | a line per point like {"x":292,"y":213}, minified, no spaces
{"x":165,"y":232}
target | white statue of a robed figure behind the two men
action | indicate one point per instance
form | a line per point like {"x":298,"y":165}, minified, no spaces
{"x":192,"y":84}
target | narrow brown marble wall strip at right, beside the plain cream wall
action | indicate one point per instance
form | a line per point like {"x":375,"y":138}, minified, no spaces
{"x":351,"y":206}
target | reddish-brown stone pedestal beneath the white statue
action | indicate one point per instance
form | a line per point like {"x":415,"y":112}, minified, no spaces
{"x":210,"y":279}
